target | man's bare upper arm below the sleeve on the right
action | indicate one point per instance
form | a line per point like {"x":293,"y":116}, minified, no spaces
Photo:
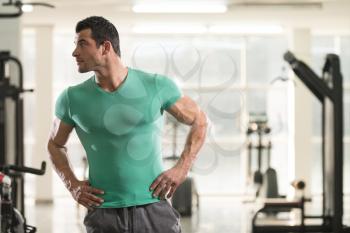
{"x":185,"y":110}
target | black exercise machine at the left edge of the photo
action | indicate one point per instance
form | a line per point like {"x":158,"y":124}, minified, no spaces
{"x":12,"y":202}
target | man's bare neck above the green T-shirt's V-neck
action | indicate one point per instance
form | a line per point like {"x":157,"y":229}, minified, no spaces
{"x":112,"y":75}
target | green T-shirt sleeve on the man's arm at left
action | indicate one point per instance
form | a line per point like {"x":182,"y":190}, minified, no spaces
{"x":62,"y":108}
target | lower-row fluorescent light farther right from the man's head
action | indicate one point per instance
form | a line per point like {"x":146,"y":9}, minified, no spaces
{"x":246,"y":29}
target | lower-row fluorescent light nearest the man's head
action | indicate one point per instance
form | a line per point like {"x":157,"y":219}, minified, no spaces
{"x":169,"y":29}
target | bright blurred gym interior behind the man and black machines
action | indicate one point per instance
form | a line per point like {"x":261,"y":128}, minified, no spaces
{"x":227,"y":56}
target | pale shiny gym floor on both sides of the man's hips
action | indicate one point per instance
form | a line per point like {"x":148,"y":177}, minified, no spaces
{"x":224,"y":214}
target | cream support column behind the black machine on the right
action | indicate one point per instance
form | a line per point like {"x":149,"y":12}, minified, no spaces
{"x":300,"y":158}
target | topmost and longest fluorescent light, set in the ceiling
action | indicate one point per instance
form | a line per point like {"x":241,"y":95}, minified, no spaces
{"x":184,"y":7}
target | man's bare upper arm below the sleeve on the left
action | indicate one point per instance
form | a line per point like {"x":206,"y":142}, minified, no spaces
{"x":60,"y":132}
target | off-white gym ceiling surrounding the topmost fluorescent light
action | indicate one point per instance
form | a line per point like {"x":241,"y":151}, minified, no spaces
{"x":291,"y":13}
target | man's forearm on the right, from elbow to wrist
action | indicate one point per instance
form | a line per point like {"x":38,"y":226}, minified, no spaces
{"x":194,"y":141}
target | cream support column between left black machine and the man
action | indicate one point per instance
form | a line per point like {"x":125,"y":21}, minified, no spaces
{"x":43,"y":111}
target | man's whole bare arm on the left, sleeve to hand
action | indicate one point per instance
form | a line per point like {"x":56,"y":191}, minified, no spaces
{"x":80,"y":190}
